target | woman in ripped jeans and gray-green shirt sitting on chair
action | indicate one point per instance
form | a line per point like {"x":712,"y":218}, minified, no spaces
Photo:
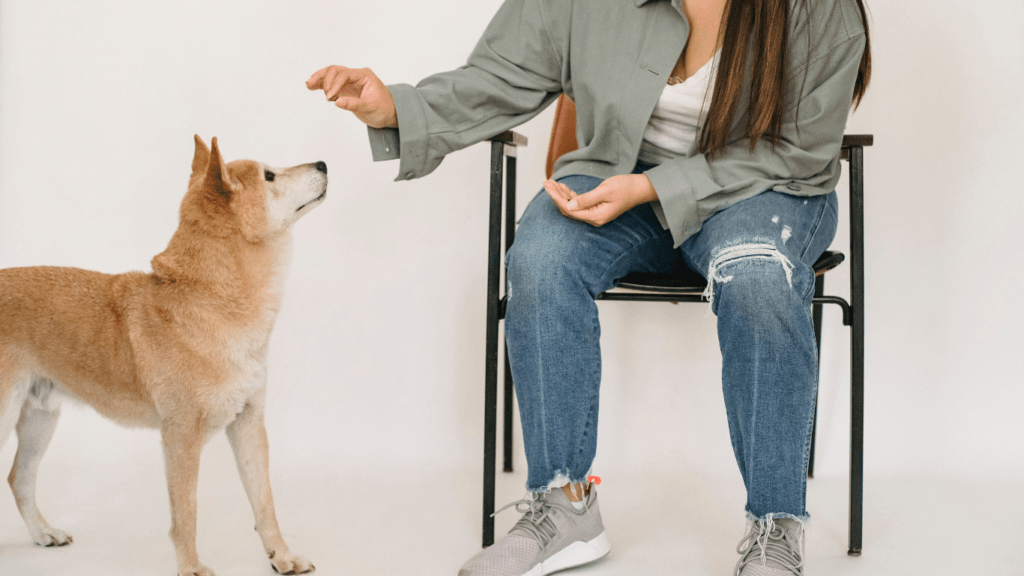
{"x":710,"y":136}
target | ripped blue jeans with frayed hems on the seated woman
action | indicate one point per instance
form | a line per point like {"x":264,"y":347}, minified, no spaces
{"x":758,"y":255}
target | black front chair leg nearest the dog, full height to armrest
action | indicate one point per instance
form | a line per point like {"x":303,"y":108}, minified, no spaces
{"x":491,"y":362}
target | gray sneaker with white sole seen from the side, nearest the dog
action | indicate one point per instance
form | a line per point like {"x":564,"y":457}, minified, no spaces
{"x":551,"y":536}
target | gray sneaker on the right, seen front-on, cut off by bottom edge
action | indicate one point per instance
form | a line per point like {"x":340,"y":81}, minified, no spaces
{"x":772,"y":548}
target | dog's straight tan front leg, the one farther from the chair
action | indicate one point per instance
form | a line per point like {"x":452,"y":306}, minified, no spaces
{"x":183,"y":446}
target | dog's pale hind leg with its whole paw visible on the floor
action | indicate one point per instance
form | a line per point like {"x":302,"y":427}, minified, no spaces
{"x":35,"y":429}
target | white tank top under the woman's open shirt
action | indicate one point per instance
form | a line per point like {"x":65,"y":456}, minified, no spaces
{"x":672,"y":130}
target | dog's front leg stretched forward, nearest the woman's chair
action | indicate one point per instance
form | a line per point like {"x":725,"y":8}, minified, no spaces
{"x":248,"y":437}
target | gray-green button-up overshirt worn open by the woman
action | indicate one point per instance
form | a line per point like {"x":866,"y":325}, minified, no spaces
{"x":614,"y":58}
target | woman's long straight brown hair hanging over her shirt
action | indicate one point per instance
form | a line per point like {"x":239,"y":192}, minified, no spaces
{"x":764,"y":24}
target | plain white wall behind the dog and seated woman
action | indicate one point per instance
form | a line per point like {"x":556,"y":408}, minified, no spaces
{"x":377,"y":361}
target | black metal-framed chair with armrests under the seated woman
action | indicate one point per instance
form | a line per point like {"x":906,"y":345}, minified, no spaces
{"x":682,"y":286}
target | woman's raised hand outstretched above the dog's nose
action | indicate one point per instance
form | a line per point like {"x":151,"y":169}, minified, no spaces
{"x":358,"y":91}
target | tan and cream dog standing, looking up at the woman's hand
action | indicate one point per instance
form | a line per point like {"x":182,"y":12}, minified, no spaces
{"x":183,"y":349}
